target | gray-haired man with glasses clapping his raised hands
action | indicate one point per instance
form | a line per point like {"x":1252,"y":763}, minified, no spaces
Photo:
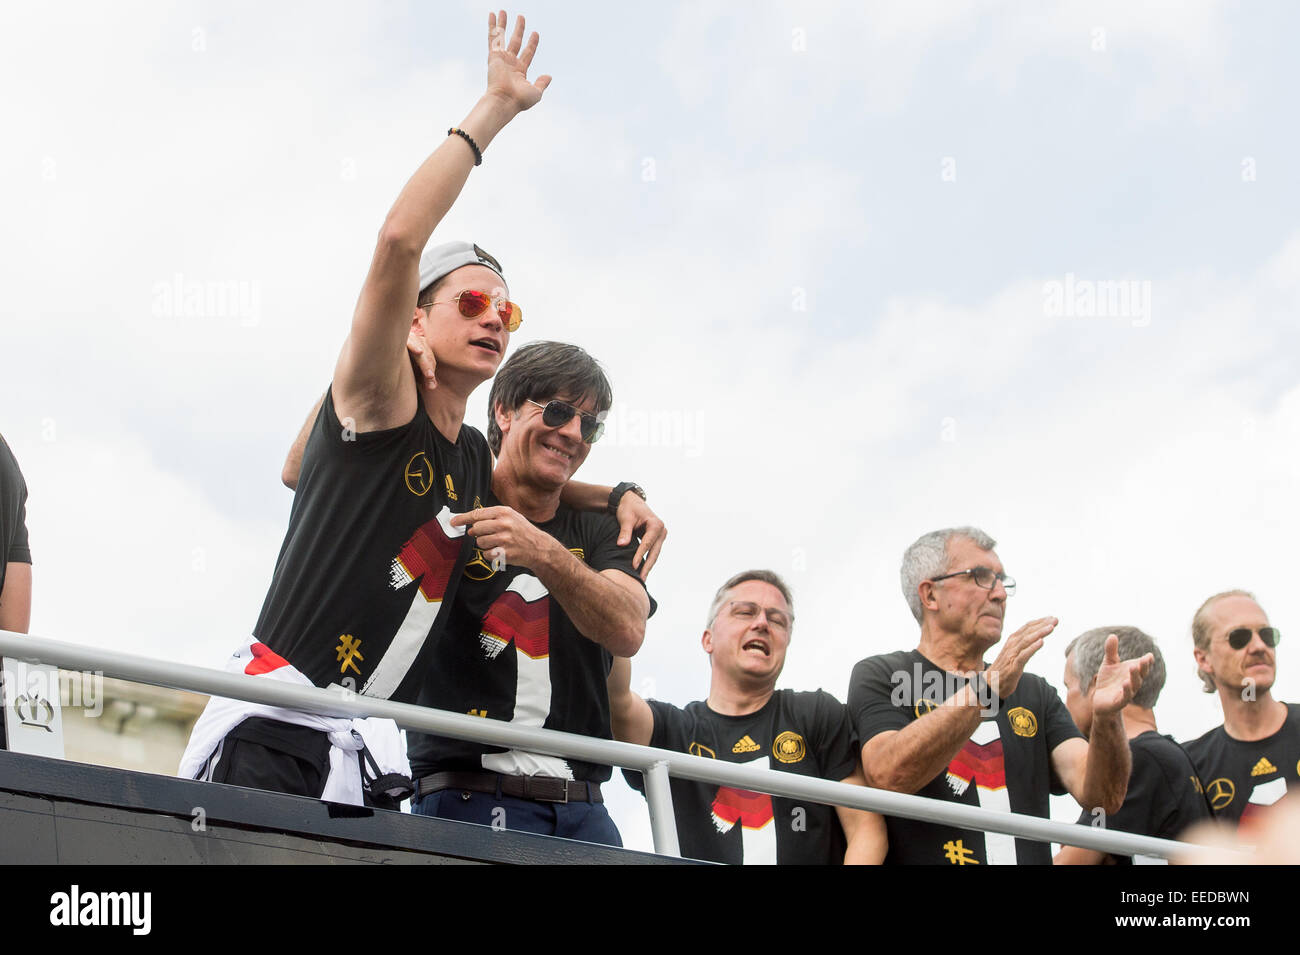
{"x":943,"y":723}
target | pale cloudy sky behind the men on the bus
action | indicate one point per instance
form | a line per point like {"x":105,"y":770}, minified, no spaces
{"x":856,"y":275}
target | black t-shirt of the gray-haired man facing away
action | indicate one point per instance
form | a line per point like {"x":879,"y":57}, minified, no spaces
{"x":1164,"y":793}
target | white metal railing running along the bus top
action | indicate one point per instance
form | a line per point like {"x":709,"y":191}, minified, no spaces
{"x":657,"y":766}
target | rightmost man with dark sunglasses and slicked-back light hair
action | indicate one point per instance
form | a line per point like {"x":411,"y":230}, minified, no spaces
{"x":1254,"y":759}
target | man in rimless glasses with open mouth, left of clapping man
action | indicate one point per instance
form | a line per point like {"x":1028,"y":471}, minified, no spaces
{"x":747,"y":719}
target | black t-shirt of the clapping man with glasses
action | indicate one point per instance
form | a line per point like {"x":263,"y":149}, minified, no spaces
{"x":1004,"y":766}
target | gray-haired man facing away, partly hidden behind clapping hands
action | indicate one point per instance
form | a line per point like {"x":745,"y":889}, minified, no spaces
{"x":1164,"y":795}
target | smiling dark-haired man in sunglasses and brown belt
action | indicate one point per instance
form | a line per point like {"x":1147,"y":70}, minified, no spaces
{"x":547,"y":601}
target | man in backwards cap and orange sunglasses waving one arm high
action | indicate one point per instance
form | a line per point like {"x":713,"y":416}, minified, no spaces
{"x":371,"y":559}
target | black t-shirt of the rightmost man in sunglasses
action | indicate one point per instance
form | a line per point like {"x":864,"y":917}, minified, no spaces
{"x":1243,"y":779}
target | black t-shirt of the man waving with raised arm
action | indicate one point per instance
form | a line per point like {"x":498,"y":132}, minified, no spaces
{"x":370,"y":562}
